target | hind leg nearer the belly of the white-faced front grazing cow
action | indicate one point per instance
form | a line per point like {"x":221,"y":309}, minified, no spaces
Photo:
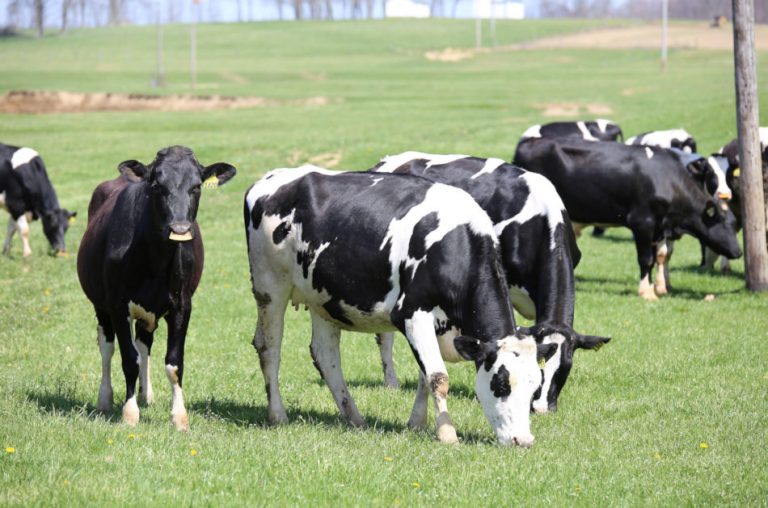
{"x":327,"y":358}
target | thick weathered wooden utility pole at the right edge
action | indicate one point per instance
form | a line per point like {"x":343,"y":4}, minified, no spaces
{"x":751,"y":178}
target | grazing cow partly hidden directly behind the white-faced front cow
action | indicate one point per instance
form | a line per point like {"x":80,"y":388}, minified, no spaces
{"x":538,"y":252}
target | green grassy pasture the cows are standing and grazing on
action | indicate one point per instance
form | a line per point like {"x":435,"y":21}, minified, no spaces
{"x":673,"y":411}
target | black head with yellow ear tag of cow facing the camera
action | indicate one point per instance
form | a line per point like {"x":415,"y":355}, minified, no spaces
{"x":175,"y":179}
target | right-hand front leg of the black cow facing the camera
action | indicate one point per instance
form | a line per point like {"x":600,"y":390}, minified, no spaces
{"x":177,"y":320}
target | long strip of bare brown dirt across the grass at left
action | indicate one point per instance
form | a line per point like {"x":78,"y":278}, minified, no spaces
{"x":34,"y":102}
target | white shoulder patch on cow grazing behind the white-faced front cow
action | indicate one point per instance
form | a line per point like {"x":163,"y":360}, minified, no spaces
{"x":542,"y":200}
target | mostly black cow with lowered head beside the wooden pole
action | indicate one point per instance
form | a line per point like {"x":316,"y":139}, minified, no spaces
{"x":647,"y":189}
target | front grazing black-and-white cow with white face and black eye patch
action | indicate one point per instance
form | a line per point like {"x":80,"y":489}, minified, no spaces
{"x":371,"y":253}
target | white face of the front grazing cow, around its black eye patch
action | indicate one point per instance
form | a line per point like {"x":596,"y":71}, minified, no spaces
{"x":510,"y":416}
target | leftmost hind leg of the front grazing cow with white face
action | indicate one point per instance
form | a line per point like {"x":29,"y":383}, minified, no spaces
{"x":267,"y":341}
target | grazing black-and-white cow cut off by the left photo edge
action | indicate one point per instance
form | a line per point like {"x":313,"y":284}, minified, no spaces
{"x":27,"y":194}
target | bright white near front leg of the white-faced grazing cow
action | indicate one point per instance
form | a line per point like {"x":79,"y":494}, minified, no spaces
{"x":420,"y":331}
